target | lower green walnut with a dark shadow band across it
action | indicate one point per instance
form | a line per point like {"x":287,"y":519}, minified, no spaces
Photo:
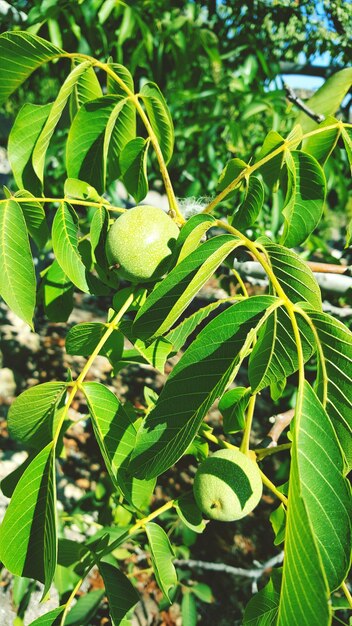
{"x":227,"y":486}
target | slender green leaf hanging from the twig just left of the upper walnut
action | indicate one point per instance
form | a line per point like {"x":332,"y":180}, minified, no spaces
{"x":65,"y":244}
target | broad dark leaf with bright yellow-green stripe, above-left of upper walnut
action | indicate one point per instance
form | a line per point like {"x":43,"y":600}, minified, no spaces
{"x":97,"y":136}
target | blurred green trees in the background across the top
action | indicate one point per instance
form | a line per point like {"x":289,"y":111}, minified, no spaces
{"x":221,"y":66}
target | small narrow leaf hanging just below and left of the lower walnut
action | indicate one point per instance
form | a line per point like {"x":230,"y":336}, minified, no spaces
{"x":162,"y":556}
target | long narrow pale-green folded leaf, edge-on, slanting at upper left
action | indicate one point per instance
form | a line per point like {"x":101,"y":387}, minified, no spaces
{"x":42,"y":143}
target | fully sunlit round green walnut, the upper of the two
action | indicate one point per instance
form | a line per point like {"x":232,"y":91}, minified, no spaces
{"x":140,"y":243}
